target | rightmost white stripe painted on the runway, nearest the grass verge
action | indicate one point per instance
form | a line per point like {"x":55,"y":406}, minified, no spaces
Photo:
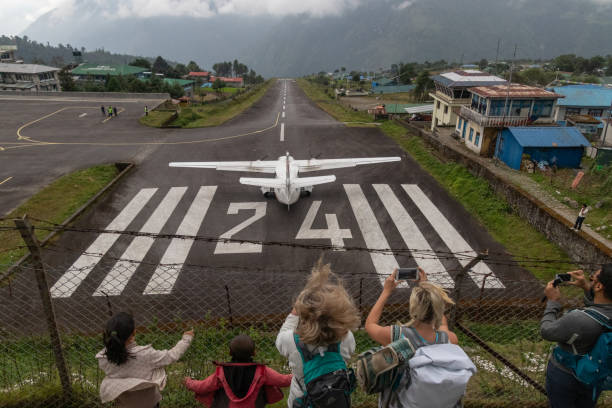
{"x":451,"y":237}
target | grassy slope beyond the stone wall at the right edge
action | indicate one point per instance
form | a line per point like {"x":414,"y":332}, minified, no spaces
{"x":595,"y":187}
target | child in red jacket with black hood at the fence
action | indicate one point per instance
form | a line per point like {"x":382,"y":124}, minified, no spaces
{"x":241,"y":383}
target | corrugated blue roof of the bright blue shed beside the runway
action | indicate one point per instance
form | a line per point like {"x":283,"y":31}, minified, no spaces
{"x":548,"y":136}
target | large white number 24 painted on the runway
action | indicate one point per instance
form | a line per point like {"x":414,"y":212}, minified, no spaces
{"x":333,"y":232}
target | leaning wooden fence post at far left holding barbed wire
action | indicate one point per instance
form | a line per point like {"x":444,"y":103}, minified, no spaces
{"x":27,"y":233}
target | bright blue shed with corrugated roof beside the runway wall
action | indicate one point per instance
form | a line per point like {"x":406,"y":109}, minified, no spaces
{"x":560,"y":146}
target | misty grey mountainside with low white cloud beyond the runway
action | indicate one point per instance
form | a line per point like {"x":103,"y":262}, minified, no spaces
{"x":357,"y":34}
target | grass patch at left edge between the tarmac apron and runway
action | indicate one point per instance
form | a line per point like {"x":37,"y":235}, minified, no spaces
{"x":54,"y":203}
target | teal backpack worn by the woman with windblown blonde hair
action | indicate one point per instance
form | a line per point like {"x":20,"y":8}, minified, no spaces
{"x":329,"y":382}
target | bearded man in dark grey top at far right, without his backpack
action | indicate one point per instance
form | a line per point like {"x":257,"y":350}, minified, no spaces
{"x":575,"y":332}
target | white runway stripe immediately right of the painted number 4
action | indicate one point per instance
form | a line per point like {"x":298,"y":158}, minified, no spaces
{"x":384,"y":263}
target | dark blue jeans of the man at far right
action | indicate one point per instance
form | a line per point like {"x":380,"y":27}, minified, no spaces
{"x":565,"y":391}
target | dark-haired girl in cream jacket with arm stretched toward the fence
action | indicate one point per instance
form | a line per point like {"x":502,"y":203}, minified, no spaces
{"x":135,"y":374}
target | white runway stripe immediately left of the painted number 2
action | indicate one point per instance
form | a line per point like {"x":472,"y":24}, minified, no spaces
{"x":164,"y":277}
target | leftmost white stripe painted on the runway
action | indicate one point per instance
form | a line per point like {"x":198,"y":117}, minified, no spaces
{"x":76,"y":274}
